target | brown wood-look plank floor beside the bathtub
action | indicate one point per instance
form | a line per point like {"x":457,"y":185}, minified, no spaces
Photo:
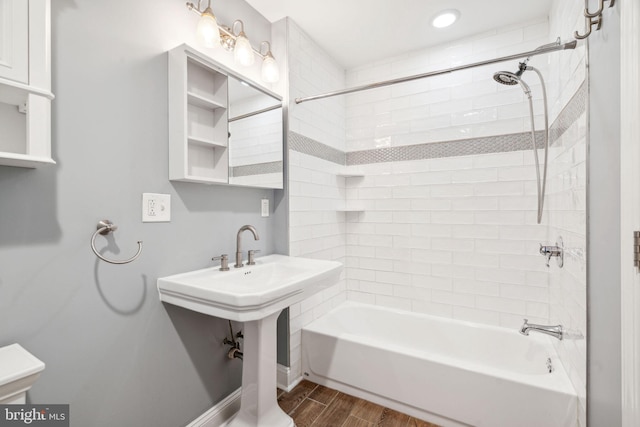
{"x":314,"y":405}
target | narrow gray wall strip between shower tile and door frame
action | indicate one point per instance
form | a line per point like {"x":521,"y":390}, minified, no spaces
{"x":603,"y":271}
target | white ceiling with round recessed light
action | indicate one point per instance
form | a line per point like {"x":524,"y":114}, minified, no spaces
{"x":356,"y":32}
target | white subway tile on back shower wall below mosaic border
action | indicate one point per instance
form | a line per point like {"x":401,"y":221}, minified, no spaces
{"x":436,"y":238}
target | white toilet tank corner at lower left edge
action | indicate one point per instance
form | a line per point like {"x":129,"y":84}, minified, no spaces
{"x":19,"y":369}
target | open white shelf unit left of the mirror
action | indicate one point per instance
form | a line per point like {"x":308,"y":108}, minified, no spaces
{"x":198,"y":113}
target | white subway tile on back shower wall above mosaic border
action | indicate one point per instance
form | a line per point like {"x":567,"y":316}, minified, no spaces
{"x":462,"y":105}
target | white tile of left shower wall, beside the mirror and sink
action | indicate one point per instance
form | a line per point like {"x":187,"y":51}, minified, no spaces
{"x":316,"y":228}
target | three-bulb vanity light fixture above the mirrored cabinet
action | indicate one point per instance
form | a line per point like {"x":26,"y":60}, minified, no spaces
{"x":213,"y":34}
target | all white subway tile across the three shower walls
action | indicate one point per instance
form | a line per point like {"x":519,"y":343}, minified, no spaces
{"x":451,"y":236}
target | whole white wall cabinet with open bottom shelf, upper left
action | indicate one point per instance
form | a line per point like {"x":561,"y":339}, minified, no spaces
{"x":25,"y":82}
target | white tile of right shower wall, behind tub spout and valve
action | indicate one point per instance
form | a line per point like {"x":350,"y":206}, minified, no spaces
{"x":566,"y":202}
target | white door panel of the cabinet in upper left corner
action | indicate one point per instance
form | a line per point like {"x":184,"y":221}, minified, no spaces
{"x":14,"y":40}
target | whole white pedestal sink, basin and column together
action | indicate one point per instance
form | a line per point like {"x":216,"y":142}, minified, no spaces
{"x":254,"y":295}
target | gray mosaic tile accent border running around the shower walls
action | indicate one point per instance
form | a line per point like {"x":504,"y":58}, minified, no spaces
{"x":463,"y":147}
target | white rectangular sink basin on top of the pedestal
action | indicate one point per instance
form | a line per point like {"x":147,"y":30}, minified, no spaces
{"x":251,"y":292}
